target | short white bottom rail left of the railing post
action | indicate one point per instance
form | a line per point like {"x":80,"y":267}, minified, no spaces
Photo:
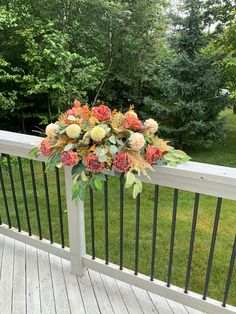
{"x":34,"y":241}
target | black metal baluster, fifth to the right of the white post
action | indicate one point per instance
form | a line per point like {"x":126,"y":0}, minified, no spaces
{"x":154,"y":231}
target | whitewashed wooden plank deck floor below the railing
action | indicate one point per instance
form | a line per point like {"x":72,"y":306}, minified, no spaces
{"x":32,"y":281}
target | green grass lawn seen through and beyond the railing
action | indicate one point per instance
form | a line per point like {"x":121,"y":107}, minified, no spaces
{"x":222,"y":153}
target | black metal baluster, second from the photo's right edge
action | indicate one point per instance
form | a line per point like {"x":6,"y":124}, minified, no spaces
{"x":212,"y":249}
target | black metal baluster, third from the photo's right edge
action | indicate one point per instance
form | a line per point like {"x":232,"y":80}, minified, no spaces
{"x":191,"y":246}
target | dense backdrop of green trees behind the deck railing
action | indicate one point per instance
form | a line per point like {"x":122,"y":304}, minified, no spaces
{"x":172,"y":64}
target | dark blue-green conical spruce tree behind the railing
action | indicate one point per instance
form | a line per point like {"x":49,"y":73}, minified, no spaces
{"x":190,"y":84}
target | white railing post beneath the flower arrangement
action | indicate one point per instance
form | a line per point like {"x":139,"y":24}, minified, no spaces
{"x":76,"y":227}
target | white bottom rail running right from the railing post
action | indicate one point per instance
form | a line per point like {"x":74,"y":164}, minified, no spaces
{"x":174,"y":293}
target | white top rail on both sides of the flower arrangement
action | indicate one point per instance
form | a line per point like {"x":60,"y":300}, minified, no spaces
{"x":193,"y":176}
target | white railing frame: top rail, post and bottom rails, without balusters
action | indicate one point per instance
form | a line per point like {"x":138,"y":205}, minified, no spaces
{"x":194,"y":177}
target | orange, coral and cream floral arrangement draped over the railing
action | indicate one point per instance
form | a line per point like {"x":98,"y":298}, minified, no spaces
{"x":95,"y":140}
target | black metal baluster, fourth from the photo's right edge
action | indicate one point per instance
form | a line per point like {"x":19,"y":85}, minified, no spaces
{"x":172,"y":240}
